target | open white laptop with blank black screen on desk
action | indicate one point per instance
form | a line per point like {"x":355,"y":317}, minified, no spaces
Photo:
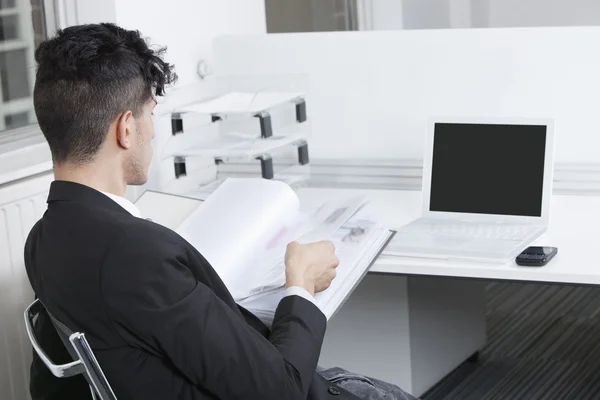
{"x":487,"y":186}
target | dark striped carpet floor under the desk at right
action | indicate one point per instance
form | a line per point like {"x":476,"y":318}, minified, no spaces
{"x":543,"y":343}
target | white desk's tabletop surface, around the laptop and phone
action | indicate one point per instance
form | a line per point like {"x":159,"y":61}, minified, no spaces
{"x":574,"y":228}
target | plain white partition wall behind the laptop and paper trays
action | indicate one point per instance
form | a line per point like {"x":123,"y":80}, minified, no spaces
{"x":372,"y":92}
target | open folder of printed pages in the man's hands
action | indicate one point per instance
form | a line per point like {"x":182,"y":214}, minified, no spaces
{"x":243,"y":229}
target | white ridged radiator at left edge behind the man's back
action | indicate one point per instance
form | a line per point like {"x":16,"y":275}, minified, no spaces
{"x":21,"y":205}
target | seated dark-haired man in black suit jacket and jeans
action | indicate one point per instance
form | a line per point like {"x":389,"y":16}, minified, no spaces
{"x":159,"y":319}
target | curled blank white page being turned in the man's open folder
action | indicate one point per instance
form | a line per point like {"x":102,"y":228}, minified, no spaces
{"x":238,"y":224}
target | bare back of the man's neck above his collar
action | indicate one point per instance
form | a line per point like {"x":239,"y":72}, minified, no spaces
{"x":94,"y":176}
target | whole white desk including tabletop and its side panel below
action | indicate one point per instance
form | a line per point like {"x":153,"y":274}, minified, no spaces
{"x":406,"y":327}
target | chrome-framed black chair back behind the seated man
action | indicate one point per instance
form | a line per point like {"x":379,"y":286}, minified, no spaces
{"x":85,"y":362}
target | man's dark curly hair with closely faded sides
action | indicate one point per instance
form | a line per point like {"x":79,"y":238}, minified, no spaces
{"x":88,"y":75}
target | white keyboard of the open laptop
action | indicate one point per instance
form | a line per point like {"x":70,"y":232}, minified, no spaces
{"x":471,"y":230}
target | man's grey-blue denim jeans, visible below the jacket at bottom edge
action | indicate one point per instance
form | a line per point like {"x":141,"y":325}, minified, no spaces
{"x":364,"y":387}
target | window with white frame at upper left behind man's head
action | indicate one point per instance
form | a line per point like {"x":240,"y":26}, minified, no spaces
{"x":23,"y":25}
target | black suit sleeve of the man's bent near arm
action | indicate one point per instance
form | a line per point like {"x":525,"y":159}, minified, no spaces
{"x":158,"y":299}
